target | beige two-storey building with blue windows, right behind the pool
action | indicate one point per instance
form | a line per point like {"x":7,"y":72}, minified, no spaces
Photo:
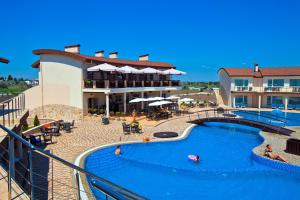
{"x":276,"y":87}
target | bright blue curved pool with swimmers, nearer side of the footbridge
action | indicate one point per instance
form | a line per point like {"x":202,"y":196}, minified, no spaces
{"x":162,"y":170}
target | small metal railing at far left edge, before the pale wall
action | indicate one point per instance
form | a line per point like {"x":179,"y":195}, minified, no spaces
{"x":12,"y":108}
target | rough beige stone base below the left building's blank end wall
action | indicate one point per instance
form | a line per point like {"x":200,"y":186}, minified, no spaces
{"x":57,"y":112}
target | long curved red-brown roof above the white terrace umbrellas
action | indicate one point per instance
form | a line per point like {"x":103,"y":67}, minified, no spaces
{"x":98,"y":60}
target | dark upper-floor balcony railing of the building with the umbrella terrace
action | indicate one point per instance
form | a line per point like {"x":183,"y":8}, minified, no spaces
{"x":128,"y":84}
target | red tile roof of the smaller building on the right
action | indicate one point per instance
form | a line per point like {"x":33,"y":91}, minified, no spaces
{"x":268,"y":71}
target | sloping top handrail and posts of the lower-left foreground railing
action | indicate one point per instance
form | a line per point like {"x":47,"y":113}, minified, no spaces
{"x":117,"y":192}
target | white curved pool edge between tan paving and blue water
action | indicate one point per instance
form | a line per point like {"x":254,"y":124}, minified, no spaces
{"x":79,"y":158}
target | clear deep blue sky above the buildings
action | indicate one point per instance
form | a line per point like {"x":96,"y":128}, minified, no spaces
{"x":196,"y":36}
